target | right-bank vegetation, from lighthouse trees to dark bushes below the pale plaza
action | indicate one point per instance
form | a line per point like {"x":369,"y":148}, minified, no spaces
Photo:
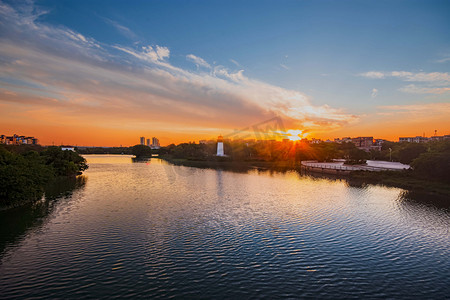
{"x":430,"y":163}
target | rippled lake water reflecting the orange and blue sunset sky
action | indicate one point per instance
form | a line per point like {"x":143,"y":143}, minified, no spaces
{"x":153,"y":230}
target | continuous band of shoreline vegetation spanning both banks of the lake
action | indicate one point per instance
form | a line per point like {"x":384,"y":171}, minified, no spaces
{"x":26,"y":170}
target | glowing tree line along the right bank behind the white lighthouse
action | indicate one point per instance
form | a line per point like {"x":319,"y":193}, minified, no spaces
{"x":428,"y":160}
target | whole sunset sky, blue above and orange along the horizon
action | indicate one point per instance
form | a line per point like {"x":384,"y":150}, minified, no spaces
{"x":104,"y":73}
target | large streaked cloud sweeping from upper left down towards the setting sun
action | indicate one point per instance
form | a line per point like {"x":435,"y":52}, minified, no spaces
{"x":74,"y":78}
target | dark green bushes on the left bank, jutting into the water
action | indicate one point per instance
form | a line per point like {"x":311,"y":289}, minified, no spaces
{"x":27,"y":172}
